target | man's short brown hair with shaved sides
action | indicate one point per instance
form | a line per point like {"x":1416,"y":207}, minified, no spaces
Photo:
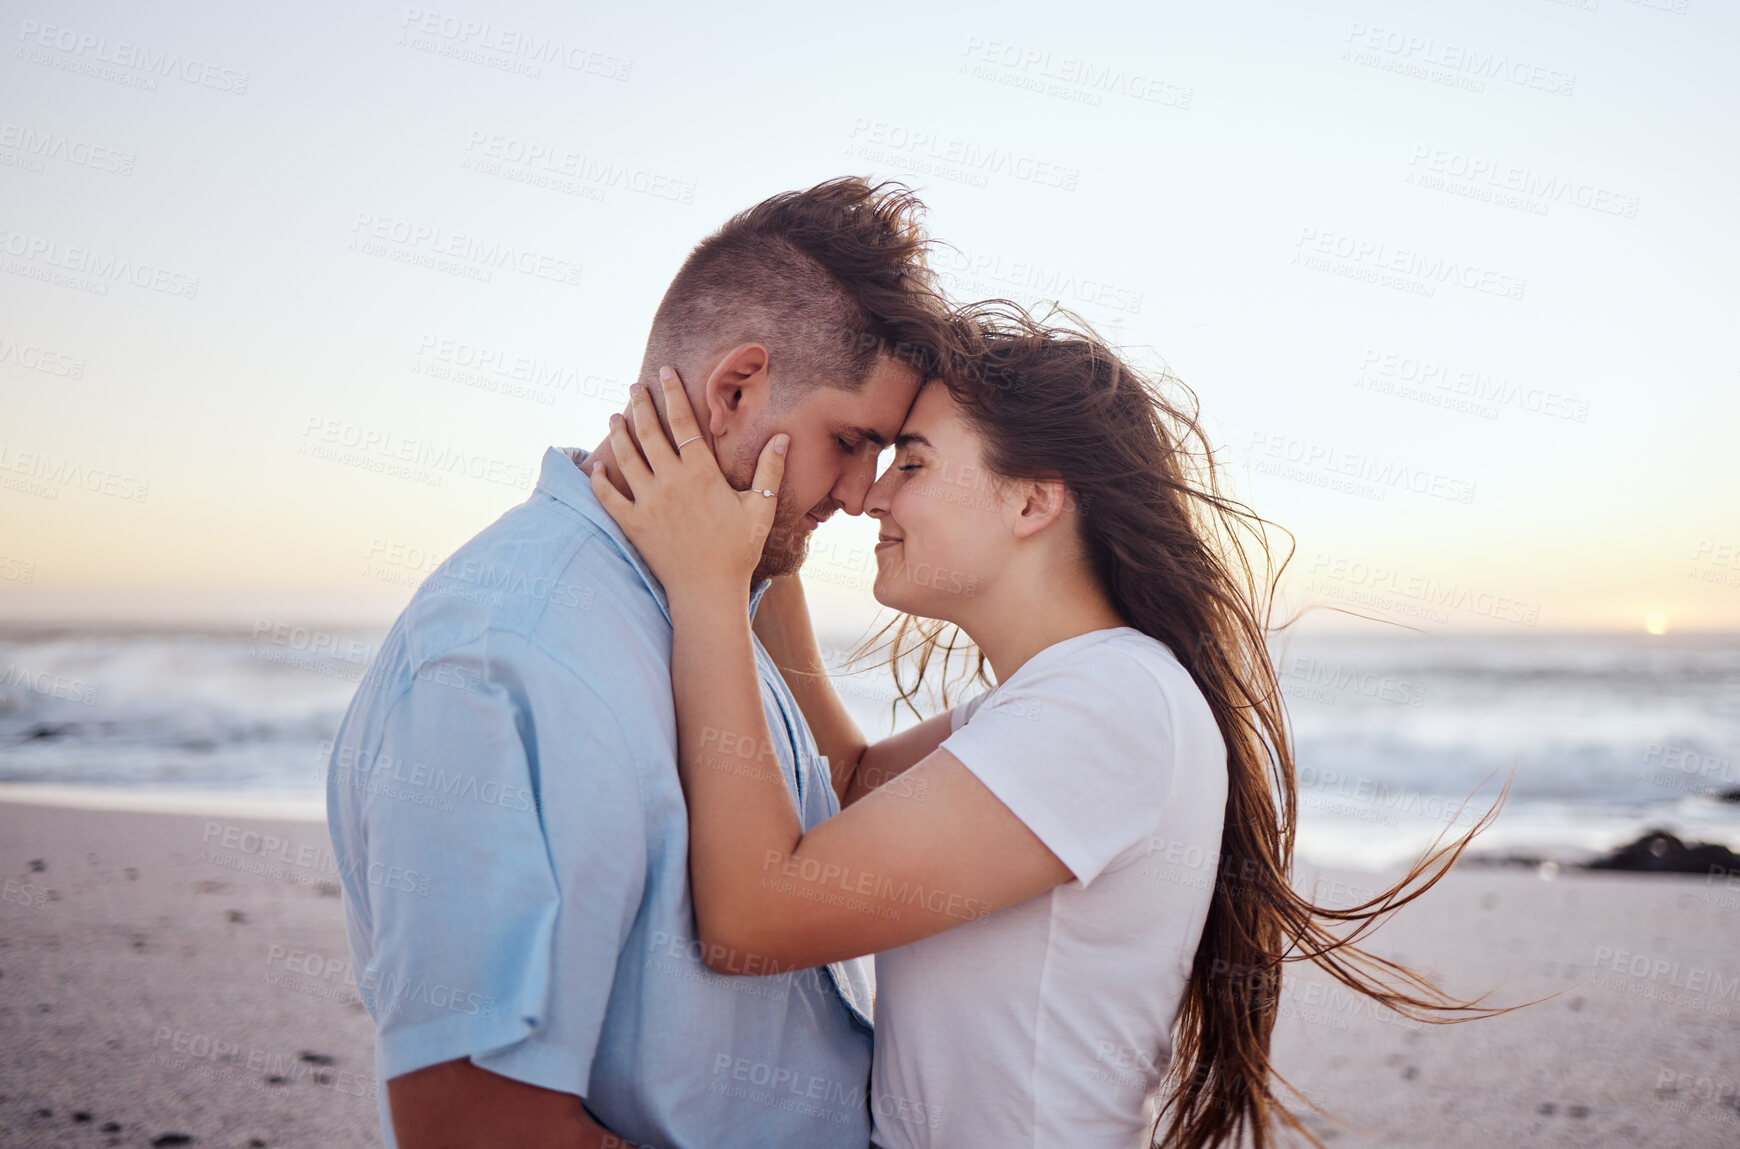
{"x":829,"y":279}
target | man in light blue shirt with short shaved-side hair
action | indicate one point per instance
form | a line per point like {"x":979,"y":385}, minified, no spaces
{"x":504,"y":793}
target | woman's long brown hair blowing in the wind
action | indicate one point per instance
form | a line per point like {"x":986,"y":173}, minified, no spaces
{"x":1175,"y":556}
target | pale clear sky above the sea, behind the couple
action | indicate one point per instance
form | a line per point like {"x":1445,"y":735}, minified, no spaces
{"x":1456,"y":285}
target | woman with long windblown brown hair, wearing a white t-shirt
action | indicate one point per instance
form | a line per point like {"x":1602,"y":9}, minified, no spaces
{"x":1076,"y":885}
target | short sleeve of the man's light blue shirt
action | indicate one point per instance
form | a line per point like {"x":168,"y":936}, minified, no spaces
{"x":464,"y":896}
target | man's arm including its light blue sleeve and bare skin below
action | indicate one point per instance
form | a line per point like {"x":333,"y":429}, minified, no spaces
{"x":460,"y":884}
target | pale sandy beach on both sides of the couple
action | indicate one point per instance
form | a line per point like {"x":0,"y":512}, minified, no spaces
{"x":189,"y":976}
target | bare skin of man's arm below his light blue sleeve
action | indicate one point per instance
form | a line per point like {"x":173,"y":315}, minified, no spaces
{"x":460,"y":1106}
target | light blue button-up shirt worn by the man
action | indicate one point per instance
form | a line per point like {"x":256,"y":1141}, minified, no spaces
{"x":514,"y":847}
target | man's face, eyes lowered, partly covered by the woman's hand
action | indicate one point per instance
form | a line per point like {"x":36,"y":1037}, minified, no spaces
{"x":836,"y":440}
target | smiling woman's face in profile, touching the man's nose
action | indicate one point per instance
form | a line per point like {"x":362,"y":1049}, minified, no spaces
{"x":944,"y":532}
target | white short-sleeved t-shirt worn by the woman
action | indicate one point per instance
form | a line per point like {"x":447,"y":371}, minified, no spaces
{"x":1048,"y":1023}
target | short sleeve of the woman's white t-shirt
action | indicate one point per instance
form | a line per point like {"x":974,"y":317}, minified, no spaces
{"x":1080,"y":749}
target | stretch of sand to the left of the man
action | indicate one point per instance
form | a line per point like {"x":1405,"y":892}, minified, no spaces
{"x":173,"y":974}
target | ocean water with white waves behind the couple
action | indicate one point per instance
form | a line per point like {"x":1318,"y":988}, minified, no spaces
{"x":1400,"y":737}
